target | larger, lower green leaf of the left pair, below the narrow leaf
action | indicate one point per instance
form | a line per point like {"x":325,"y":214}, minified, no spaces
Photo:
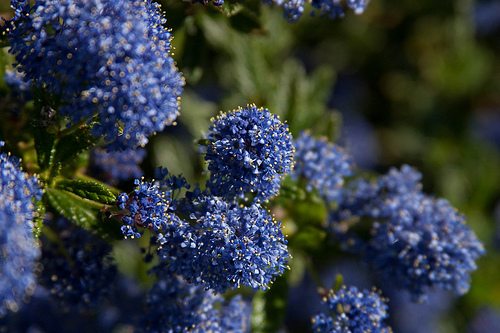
{"x":84,"y":213}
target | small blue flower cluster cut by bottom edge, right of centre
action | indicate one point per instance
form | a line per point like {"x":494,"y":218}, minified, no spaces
{"x":352,"y":310}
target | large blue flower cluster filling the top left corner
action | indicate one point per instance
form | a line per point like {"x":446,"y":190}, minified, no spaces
{"x":112,"y":59}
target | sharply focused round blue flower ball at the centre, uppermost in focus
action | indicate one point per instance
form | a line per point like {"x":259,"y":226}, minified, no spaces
{"x":249,"y":150}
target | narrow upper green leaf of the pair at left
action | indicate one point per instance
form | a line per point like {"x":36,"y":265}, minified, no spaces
{"x":88,"y":190}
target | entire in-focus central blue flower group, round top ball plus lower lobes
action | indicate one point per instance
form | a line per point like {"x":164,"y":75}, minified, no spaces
{"x":208,"y":237}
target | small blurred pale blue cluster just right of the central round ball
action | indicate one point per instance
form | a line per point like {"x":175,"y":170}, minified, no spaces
{"x":323,"y":165}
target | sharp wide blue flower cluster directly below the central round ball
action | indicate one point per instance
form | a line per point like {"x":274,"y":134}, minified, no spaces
{"x":235,"y":246}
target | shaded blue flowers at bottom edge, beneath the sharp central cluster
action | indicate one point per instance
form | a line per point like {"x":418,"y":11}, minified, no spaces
{"x":176,"y":306}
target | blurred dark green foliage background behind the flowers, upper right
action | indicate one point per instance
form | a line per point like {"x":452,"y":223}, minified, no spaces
{"x":407,"y":82}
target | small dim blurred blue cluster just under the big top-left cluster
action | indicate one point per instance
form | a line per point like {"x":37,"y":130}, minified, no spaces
{"x":116,"y":166}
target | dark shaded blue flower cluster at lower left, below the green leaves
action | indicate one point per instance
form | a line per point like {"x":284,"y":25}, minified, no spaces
{"x":77,"y":267}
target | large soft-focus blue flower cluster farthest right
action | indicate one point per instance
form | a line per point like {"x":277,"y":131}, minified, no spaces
{"x":421,"y":243}
